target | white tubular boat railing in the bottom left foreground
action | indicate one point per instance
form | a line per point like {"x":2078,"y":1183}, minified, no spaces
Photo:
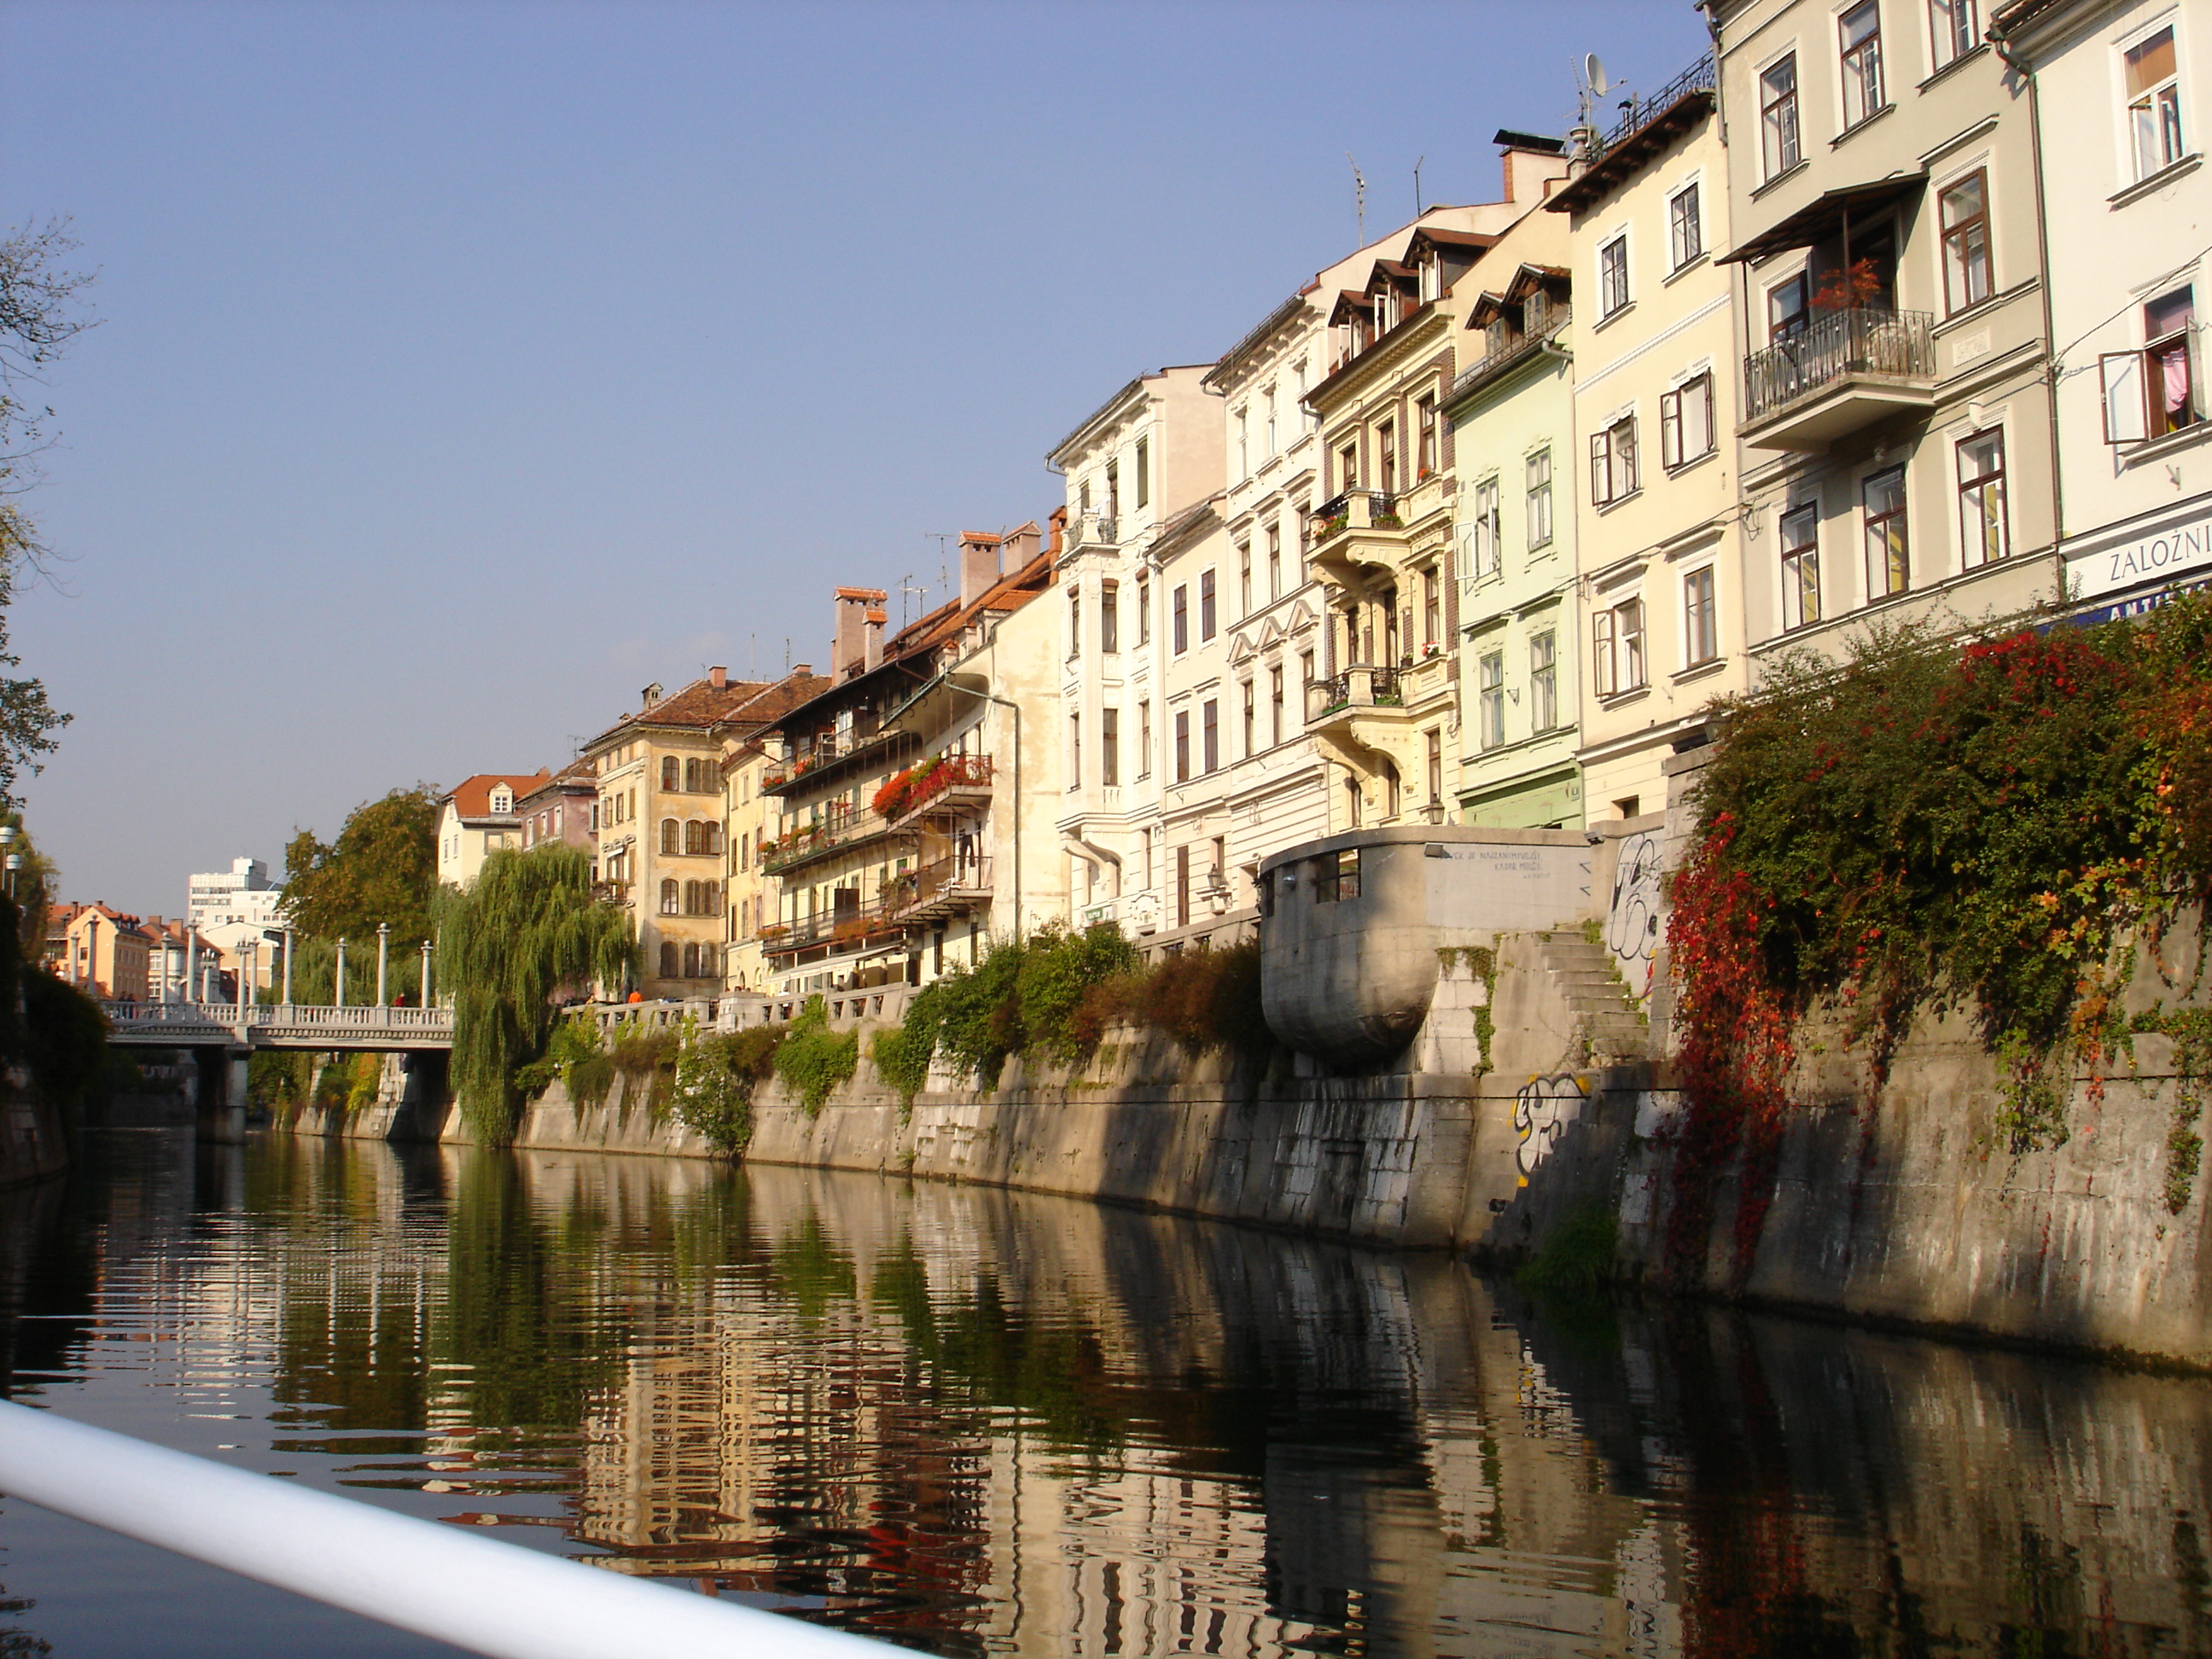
{"x":413,"y":1574}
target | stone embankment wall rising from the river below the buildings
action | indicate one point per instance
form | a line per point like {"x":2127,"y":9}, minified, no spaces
{"x":1890,"y":1204}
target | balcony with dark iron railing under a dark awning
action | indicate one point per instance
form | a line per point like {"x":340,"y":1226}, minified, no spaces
{"x":1848,"y":371}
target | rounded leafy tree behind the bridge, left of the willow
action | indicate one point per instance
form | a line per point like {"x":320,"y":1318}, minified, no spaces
{"x":384,"y":868}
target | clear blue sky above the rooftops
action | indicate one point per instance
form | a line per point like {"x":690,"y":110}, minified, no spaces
{"x":470,"y":366}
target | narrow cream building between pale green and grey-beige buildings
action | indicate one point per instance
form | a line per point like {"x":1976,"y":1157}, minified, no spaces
{"x":1660,"y":543}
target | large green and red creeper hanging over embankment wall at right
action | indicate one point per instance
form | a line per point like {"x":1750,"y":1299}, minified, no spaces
{"x":1985,"y":826}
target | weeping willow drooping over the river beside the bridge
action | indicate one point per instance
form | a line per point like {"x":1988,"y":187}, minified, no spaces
{"x":510,"y":948}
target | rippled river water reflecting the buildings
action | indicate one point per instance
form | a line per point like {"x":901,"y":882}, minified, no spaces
{"x":983,"y":1421}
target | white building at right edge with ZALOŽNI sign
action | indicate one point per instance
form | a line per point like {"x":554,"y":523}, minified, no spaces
{"x":2120,"y":98}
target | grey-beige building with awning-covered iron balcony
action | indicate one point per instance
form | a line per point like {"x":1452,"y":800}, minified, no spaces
{"x":1895,"y":441}
